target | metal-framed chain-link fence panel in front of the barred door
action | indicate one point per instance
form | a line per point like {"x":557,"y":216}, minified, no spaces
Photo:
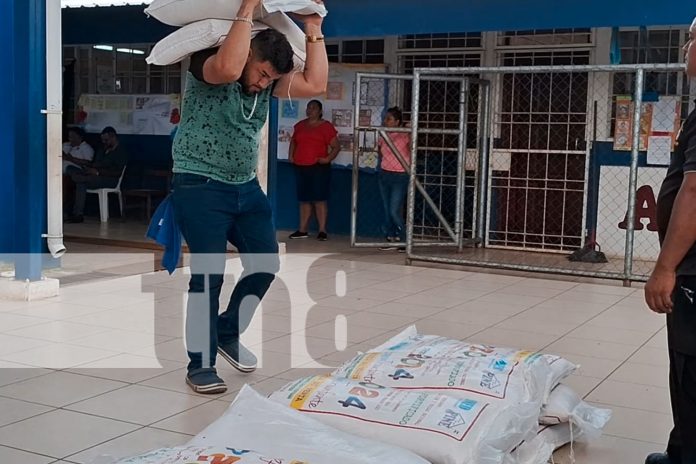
{"x":549,"y":179}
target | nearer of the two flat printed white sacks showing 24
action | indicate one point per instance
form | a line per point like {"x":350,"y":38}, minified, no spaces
{"x":442,"y":429}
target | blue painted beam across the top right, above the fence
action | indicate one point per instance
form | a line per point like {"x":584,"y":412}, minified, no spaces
{"x":370,"y":18}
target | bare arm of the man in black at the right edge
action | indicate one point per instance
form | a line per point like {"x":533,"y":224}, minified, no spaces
{"x":680,"y":237}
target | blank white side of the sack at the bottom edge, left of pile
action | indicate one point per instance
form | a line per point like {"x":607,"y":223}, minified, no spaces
{"x":258,"y":423}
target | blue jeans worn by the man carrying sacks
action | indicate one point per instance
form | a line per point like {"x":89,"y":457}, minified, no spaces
{"x":210,"y":214}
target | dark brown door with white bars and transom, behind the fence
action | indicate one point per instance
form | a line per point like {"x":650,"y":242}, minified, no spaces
{"x":541,"y":123}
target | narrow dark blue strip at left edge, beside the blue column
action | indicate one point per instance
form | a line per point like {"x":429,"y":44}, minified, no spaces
{"x":7,"y":181}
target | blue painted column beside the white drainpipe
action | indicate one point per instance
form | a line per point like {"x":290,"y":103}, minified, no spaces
{"x":28,"y":99}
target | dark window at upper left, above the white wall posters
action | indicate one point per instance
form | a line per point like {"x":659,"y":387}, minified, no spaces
{"x":116,"y":69}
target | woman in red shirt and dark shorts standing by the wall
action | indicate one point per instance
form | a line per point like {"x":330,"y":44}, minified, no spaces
{"x":313,"y":146}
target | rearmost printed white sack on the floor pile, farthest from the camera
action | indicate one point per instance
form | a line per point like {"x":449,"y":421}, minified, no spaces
{"x":411,"y":342}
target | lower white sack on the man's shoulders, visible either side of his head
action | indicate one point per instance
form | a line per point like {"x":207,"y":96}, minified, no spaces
{"x":210,"y":33}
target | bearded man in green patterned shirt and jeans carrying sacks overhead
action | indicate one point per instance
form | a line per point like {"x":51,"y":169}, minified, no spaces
{"x":216,"y":196}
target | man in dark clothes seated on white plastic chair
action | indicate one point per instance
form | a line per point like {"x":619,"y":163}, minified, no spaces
{"x":104,"y":172}
